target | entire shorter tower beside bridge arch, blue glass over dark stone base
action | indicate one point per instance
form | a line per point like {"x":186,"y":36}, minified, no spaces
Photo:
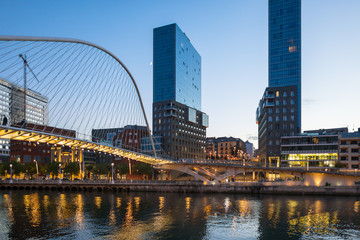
{"x":177,"y":116}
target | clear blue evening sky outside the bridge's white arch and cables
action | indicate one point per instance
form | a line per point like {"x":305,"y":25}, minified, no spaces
{"x":231,"y":37}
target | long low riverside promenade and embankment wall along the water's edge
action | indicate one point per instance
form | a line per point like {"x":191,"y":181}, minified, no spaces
{"x":285,"y":187}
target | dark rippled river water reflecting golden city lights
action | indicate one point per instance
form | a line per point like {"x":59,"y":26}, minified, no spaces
{"x":94,"y":215}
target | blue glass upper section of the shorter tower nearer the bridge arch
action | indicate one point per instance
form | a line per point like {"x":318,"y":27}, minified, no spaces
{"x":177,"y":67}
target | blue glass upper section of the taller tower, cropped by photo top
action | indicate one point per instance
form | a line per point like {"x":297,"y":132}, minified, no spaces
{"x":285,"y":46}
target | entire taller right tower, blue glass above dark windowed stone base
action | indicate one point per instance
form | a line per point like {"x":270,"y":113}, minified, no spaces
{"x":279,"y":111}
